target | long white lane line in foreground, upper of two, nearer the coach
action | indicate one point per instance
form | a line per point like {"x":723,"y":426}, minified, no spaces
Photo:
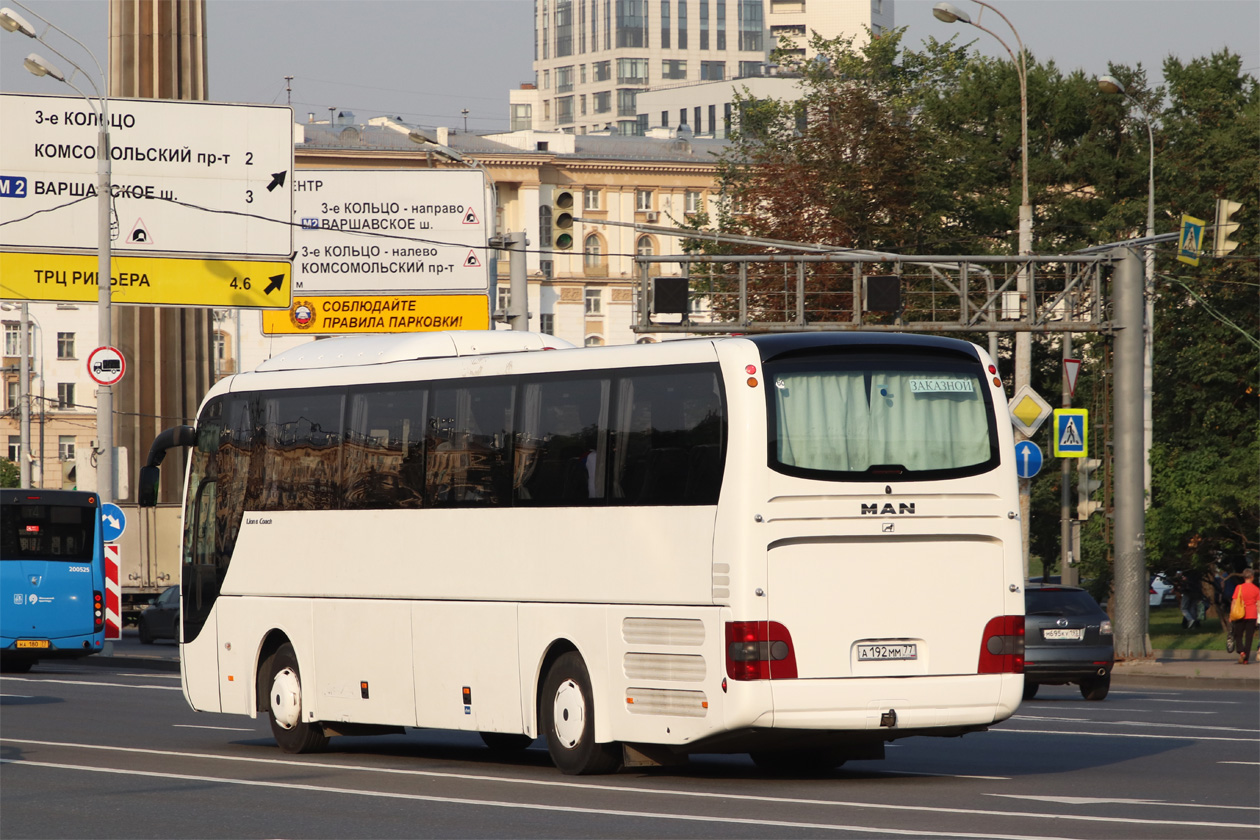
{"x":613,"y":789}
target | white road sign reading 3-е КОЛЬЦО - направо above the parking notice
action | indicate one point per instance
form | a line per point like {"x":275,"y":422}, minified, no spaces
{"x":390,"y":231}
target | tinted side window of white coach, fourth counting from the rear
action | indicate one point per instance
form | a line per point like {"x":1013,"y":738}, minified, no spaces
{"x":385,"y":449}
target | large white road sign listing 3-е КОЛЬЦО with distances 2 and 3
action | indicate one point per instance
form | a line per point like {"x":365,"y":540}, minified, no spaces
{"x":188,"y":178}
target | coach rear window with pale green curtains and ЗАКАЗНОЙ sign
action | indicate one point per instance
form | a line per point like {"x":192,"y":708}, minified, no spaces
{"x":875,"y":419}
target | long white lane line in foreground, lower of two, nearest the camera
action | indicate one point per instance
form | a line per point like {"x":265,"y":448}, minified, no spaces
{"x":527,"y":807}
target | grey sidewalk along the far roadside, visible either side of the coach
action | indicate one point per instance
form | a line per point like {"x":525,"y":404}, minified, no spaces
{"x":1193,"y":669}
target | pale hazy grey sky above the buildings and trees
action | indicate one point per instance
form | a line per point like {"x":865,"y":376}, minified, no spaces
{"x":427,"y":61}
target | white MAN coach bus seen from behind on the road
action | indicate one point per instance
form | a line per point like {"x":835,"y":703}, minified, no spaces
{"x":801,"y":547}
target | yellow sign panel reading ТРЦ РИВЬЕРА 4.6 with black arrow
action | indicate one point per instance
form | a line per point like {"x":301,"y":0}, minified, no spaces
{"x":148,"y":280}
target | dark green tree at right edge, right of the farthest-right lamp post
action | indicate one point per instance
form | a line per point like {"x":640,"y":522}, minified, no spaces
{"x":1206,"y":460}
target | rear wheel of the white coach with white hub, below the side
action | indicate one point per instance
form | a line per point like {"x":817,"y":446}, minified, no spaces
{"x":569,"y":721}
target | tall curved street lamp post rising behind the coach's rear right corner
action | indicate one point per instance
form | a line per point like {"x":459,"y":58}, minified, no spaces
{"x":949,"y":13}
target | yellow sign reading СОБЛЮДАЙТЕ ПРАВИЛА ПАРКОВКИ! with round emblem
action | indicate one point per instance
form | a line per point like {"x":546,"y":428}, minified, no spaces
{"x":347,"y":315}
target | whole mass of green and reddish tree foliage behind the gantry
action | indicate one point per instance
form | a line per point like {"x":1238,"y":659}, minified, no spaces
{"x":920,"y":152}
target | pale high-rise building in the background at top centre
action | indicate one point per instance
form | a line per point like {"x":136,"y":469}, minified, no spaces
{"x":594,"y":60}
